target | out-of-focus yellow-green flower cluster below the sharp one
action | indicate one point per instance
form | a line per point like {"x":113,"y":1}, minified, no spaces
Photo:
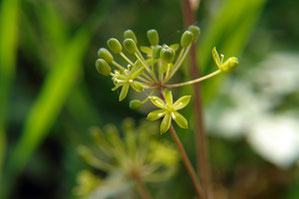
{"x":135,"y":153}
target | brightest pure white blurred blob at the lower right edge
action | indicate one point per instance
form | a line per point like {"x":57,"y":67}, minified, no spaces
{"x":276,"y":139}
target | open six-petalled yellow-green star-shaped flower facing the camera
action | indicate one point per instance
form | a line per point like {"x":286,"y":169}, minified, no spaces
{"x":168,"y":110}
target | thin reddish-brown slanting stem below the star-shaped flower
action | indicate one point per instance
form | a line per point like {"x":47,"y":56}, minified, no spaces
{"x":187,"y":163}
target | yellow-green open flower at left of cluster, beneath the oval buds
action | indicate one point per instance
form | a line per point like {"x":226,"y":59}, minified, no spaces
{"x":126,"y":78}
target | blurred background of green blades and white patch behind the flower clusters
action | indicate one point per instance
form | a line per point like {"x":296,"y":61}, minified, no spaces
{"x":51,"y":94}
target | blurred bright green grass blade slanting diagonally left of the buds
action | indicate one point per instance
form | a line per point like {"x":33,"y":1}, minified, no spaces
{"x":59,"y":83}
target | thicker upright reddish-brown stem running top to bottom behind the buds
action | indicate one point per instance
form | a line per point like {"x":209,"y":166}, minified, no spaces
{"x":200,"y":139}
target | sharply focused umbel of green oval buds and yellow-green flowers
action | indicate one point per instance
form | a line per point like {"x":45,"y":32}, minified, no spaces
{"x":154,"y":70}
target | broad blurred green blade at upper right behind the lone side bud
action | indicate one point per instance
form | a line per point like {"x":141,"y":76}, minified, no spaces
{"x":229,"y":31}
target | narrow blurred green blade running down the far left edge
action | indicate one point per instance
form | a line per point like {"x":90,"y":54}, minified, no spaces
{"x":9,"y":20}
